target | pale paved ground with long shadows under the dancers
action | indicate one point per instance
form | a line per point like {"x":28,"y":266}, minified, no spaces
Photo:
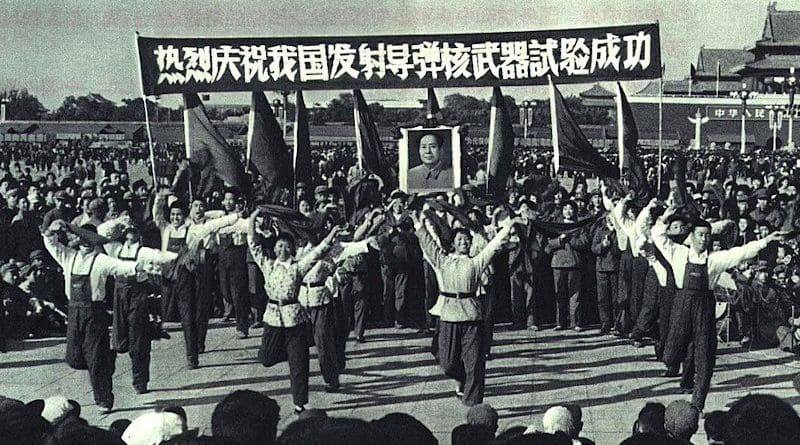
{"x":394,"y":371}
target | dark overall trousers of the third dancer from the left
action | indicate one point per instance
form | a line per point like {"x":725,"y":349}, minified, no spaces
{"x":194,"y":305}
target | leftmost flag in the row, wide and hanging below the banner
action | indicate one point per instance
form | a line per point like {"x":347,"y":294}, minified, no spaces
{"x":207,"y":149}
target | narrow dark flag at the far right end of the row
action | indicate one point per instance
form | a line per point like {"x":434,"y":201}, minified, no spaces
{"x":628,"y":140}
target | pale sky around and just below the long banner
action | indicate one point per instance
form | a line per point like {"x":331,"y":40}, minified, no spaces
{"x":57,"y":48}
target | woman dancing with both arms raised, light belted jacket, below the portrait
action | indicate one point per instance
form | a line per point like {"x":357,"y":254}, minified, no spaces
{"x":460,"y":350}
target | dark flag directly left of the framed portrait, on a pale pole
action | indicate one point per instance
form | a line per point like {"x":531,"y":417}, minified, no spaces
{"x":369,"y":143}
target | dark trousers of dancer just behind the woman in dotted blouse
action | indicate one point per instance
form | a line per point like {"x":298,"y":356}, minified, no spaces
{"x":323,"y":332}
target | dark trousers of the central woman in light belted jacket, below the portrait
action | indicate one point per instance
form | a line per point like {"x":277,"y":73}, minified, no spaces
{"x":461,"y":357}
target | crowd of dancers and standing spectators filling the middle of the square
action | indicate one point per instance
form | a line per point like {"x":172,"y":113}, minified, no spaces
{"x":709,"y":254}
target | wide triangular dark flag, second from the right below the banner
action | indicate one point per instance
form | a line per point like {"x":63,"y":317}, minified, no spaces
{"x":571,"y":149}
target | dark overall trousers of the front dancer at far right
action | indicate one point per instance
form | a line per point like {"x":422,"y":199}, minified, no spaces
{"x":693,"y":324}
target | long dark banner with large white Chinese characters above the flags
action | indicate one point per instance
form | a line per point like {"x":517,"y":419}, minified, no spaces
{"x":177,"y":65}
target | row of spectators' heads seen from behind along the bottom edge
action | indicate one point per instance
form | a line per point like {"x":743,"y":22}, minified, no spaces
{"x":247,"y":417}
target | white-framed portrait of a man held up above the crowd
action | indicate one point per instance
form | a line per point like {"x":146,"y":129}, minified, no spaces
{"x":430,"y":159}
